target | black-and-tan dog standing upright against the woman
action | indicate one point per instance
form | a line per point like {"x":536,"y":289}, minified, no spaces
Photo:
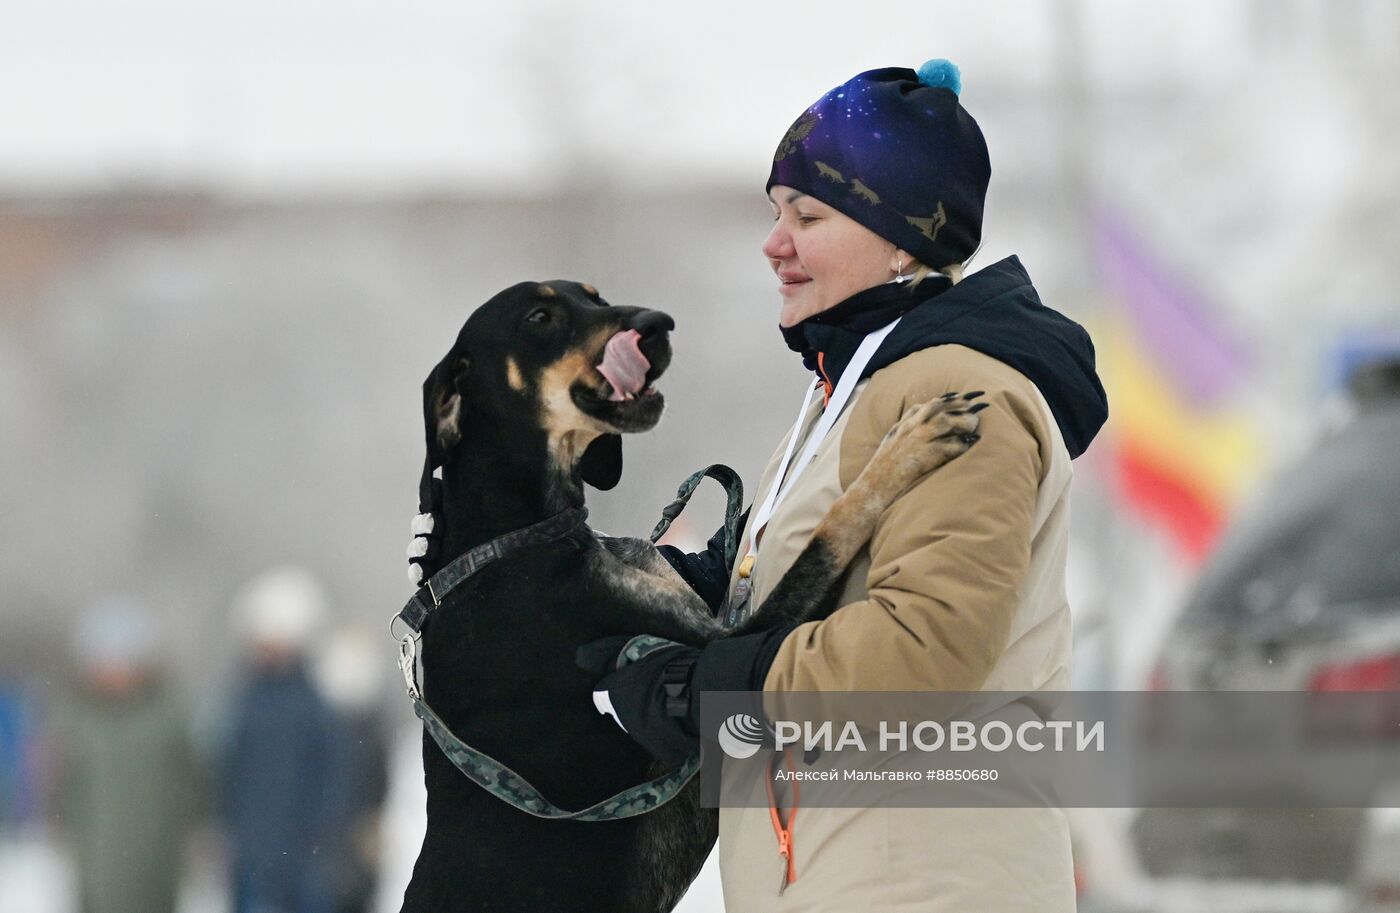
{"x":527,"y":408}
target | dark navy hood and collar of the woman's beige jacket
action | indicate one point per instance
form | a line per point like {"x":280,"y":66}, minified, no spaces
{"x":995,"y":312}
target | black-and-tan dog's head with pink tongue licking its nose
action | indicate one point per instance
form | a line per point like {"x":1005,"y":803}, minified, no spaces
{"x":558,"y":359}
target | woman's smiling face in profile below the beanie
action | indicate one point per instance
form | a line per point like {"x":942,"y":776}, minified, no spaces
{"x":821,"y":257}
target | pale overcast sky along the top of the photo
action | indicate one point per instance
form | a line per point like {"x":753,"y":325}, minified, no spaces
{"x":430,"y":95}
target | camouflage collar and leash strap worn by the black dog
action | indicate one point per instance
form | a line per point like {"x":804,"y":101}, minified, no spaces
{"x":485,"y":771}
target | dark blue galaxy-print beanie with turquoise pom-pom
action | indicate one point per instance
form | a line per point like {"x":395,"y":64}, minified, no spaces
{"x":898,"y":153}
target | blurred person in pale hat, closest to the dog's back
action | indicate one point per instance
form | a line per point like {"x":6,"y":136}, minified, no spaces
{"x":348,"y":673}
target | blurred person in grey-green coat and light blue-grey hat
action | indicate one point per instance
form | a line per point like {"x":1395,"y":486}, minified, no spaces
{"x":129,"y":786}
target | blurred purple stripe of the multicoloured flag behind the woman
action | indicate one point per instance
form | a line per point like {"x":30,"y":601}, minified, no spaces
{"x":1182,"y":338}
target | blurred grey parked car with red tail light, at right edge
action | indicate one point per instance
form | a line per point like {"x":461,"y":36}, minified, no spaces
{"x":1303,"y":594}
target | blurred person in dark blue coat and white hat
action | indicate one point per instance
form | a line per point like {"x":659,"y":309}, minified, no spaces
{"x":283,"y":792}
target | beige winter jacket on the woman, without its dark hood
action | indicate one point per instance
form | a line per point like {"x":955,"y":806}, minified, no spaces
{"x":962,"y":589}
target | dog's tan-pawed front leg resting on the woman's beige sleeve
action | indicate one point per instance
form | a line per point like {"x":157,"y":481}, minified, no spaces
{"x":922,"y":442}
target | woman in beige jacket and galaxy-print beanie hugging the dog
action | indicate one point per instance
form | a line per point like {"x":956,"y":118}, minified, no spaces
{"x":878,"y":193}
